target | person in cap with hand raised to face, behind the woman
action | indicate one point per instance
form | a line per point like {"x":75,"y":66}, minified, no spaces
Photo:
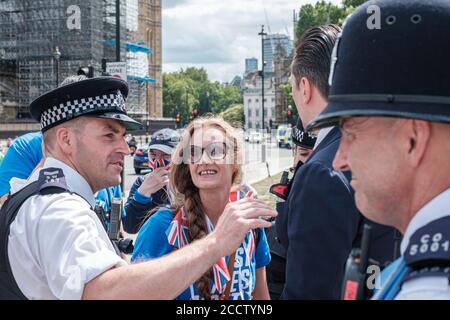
{"x":150,"y":191}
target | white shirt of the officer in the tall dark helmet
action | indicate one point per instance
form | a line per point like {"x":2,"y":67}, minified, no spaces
{"x":433,"y":287}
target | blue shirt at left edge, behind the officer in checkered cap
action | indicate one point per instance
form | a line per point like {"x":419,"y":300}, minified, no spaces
{"x":22,"y":157}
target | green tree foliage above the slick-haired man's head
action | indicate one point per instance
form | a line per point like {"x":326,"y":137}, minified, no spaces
{"x":323,"y":13}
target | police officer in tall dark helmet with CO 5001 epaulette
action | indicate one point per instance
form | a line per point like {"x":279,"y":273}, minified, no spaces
{"x":390,"y":93}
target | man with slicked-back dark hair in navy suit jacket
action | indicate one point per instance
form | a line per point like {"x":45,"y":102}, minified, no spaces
{"x":323,"y":224}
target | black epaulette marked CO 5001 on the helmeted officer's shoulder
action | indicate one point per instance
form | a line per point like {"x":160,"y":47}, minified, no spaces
{"x":428,"y":251}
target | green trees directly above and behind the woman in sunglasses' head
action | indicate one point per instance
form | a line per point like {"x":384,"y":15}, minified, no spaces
{"x":190,"y":89}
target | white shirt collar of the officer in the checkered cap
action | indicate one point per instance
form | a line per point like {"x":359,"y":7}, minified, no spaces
{"x":74,"y":180}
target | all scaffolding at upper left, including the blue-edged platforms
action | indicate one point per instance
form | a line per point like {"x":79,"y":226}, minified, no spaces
{"x":31,"y":30}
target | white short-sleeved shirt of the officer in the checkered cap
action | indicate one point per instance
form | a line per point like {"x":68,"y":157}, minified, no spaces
{"x":56,"y":243}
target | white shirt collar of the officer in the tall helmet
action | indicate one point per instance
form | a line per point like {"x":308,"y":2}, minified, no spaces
{"x":437,"y":208}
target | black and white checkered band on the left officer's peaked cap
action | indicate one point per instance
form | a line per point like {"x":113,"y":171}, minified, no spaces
{"x":71,"y":109}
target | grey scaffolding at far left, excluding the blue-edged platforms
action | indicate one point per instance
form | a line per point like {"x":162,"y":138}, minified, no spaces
{"x":30,"y":32}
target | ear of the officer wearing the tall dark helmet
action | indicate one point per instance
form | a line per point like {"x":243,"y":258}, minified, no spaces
{"x":419,"y":135}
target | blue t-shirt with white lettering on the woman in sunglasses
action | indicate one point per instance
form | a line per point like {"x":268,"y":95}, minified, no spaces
{"x":152,"y":243}
